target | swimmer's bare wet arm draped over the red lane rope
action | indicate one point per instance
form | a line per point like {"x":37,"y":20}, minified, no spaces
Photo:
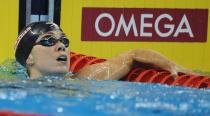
{"x":119,"y":66}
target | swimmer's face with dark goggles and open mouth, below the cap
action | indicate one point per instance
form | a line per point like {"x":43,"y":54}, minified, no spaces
{"x":53,"y":59}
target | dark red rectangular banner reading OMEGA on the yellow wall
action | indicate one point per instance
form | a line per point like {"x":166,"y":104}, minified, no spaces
{"x":144,"y":24}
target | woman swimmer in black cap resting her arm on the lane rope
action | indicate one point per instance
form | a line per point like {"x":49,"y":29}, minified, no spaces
{"x":43,"y":49}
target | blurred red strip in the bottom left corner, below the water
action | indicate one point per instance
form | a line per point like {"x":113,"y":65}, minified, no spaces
{"x":9,"y":113}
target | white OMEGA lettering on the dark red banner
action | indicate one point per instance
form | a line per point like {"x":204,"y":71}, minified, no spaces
{"x":143,"y":24}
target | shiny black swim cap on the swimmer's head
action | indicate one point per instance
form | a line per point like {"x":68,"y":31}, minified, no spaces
{"x":28,"y":36}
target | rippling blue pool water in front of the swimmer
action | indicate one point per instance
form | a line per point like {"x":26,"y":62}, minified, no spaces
{"x":78,"y":97}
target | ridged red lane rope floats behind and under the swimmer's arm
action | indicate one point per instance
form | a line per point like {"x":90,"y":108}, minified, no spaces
{"x":140,"y":74}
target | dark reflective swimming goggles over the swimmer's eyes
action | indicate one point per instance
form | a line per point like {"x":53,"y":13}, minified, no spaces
{"x":51,"y":41}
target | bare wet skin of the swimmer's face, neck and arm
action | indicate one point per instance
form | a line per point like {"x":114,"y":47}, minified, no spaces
{"x":45,"y":62}
